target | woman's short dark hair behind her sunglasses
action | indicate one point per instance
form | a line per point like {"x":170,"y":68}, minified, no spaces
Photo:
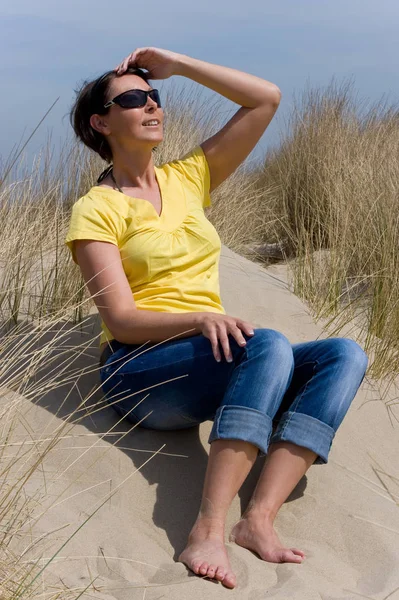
{"x":90,"y":100}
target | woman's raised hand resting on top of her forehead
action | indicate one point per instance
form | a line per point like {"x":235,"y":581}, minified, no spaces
{"x":161,"y":64}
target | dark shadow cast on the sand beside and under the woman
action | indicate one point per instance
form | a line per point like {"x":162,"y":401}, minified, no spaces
{"x":179,"y":480}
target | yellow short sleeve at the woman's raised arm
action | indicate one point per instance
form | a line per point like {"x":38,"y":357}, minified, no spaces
{"x":195,"y":169}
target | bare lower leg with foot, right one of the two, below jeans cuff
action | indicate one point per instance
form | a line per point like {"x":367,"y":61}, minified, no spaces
{"x":285,"y":465}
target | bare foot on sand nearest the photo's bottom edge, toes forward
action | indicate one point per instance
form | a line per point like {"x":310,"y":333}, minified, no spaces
{"x":206,"y":554}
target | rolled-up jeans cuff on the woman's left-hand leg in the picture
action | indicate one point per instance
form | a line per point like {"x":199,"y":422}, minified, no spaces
{"x":242,"y":423}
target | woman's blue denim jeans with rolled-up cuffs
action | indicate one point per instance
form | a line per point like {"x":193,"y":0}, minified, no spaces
{"x":272,"y":391}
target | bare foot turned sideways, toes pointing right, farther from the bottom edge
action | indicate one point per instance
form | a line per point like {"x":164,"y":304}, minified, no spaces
{"x":259,"y":536}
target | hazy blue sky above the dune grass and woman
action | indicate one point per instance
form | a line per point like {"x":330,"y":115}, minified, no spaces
{"x":47,"y":48}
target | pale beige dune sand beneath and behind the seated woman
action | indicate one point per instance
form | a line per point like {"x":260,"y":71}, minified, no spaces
{"x":340,"y":514}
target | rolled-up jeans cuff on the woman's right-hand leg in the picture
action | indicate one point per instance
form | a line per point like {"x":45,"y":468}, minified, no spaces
{"x":306,"y":431}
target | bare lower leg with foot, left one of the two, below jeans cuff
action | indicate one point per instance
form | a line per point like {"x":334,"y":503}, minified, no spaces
{"x":228,"y":465}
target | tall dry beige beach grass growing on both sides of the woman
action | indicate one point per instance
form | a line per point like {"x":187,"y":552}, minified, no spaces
{"x":325,"y":202}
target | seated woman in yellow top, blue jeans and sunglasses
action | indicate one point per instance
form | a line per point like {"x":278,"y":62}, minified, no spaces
{"x":142,"y":236}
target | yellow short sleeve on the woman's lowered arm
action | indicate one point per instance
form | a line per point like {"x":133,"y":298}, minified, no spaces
{"x":91,"y":221}
